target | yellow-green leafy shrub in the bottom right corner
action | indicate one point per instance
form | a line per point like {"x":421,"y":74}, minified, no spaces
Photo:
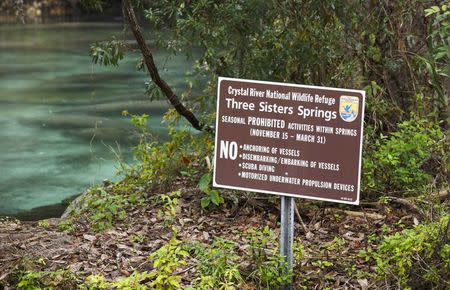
{"x":417,"y":258}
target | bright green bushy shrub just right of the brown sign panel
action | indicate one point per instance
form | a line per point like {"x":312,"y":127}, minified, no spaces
{"x":398,"y":162}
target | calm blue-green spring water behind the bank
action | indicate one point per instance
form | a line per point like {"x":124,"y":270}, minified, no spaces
{"x":59,"y":113}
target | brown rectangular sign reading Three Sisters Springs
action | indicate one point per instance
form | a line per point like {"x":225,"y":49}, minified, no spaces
{"x":288,"y":139}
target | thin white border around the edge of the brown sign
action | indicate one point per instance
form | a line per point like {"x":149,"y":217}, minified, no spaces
{"x":215,"y":184}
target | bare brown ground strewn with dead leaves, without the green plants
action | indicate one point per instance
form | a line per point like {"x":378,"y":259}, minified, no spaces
{"x":115,"y":253}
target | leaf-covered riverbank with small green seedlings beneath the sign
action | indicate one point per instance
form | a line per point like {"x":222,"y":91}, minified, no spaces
{"x":329,"y":240}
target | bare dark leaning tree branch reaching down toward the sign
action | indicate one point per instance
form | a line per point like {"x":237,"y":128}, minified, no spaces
{"x":128,"y":12}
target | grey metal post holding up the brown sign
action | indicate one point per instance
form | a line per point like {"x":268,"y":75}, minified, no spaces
{"x":287,"y":236}
